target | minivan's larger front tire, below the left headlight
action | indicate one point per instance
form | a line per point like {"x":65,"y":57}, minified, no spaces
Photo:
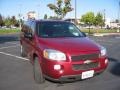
{"x":38,"y":75}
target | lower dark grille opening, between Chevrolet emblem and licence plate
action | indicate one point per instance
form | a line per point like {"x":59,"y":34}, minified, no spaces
{"x":85,"y":66}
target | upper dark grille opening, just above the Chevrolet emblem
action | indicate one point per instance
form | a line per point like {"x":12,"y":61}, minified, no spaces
{"x":85,"y":57}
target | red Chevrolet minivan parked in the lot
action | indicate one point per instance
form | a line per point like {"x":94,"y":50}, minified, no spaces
{"x":59,"y":51}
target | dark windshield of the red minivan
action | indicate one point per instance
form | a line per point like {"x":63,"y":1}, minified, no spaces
{"x":58,"y":29}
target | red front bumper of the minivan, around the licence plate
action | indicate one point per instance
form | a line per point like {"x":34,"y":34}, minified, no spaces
{"x":67,"y":72}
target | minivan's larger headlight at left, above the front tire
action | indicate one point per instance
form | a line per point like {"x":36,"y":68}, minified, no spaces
{"x":54,"y":55}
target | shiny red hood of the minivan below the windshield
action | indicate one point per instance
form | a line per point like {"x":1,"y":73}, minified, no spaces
{"x":69,"y":44}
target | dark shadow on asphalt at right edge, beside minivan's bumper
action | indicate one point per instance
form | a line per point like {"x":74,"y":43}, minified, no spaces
{"x":115,"y":69}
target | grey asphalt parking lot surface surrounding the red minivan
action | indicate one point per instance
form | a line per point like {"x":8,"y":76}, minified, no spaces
{"x":16,"y":72}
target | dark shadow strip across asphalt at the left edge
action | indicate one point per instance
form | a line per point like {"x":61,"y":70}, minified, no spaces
{"x":9,"y":38}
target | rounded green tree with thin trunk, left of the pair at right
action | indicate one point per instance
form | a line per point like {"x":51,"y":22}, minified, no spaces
{"x":88,"y":19}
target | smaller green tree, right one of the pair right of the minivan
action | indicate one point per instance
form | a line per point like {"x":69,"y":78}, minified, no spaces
{"x":99,"y":21}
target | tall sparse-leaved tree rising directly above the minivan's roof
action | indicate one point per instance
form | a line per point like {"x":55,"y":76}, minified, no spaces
{"x":61,"y":8}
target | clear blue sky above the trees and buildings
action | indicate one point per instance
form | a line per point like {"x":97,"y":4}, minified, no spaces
{"x":14,"y":7}
